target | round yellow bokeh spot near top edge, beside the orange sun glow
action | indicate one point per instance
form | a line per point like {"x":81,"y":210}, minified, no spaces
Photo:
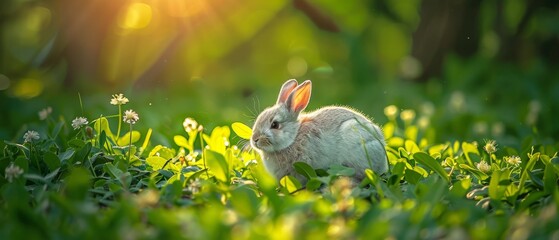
{"x":135,"y":16}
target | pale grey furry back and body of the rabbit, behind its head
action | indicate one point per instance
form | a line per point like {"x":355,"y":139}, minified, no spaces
{"x":339,"y":135}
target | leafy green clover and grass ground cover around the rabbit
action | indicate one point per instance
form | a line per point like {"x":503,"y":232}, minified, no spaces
{"x":92,"y":183}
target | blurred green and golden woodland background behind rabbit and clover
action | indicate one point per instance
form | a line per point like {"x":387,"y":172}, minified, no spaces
{"x":470,"y":70}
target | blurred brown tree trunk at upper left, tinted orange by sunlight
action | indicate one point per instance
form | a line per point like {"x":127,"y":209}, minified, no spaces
{"x":82,"y":29}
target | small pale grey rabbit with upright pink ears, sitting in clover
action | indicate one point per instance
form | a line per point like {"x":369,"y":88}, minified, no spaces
{"x":333,"y":135}
